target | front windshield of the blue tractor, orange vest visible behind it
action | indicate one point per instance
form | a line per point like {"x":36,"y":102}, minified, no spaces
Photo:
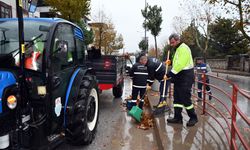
{"x":34,"y":38}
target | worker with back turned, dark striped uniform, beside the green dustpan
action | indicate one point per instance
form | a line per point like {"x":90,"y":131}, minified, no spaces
{"x":139,"y":75}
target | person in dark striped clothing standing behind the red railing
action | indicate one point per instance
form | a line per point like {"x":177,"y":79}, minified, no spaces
{"x":202,"y":68}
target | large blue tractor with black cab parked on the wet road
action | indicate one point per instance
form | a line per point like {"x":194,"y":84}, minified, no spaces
{"x":56,"y":96}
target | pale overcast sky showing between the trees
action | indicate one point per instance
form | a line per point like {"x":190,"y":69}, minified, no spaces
{"x":127,"y":18}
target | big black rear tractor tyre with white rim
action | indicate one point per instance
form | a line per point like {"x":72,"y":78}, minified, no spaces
{"x":86,"y":113}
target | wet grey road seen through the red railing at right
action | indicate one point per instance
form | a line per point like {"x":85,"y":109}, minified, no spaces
{"x":242,"y":101}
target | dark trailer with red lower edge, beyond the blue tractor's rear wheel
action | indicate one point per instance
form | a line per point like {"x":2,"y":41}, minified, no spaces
{"x":109,"y":71}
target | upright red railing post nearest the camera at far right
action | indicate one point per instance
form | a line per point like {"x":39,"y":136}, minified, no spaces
{"x":234,"y":102}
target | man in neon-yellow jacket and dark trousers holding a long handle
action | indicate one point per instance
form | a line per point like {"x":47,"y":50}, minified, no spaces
{"x":182,"y":74}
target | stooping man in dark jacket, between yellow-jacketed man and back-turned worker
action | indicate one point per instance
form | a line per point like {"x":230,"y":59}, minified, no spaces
{"x":156,"y":70}
